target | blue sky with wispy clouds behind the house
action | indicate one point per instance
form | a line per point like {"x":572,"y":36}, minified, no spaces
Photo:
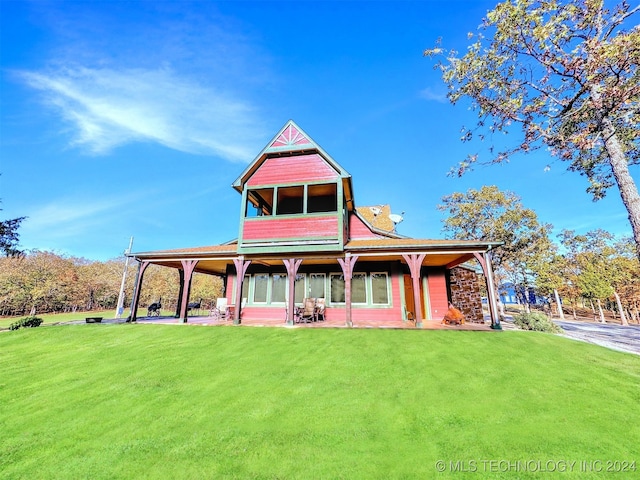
{"x":124,"y":119}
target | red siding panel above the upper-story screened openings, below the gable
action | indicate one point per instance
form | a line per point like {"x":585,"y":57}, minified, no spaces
{"x":300,"y":168}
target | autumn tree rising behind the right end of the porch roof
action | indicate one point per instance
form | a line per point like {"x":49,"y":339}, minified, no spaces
{"x":493,"y":215}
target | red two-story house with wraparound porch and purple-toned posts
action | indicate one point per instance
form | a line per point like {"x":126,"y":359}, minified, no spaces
{"x":302,"y":236}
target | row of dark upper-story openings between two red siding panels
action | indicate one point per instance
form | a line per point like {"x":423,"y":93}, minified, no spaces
{"x":291,"y":200}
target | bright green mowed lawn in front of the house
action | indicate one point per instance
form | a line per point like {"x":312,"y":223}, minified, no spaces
{"x":179,"y":401}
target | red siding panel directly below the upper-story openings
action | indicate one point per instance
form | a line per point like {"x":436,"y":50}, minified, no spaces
{"x":289,"y":228}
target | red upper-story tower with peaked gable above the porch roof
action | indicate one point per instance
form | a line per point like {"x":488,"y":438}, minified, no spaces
{"x":294,"y":197}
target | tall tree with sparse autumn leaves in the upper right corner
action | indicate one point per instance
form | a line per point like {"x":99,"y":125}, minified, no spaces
{"x":567,"y":73}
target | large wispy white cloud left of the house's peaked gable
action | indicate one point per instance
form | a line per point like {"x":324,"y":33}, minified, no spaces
{"x":110,"y":107}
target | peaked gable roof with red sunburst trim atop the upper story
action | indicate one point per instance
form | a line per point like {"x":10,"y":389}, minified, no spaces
{"x":292,"y":140}
